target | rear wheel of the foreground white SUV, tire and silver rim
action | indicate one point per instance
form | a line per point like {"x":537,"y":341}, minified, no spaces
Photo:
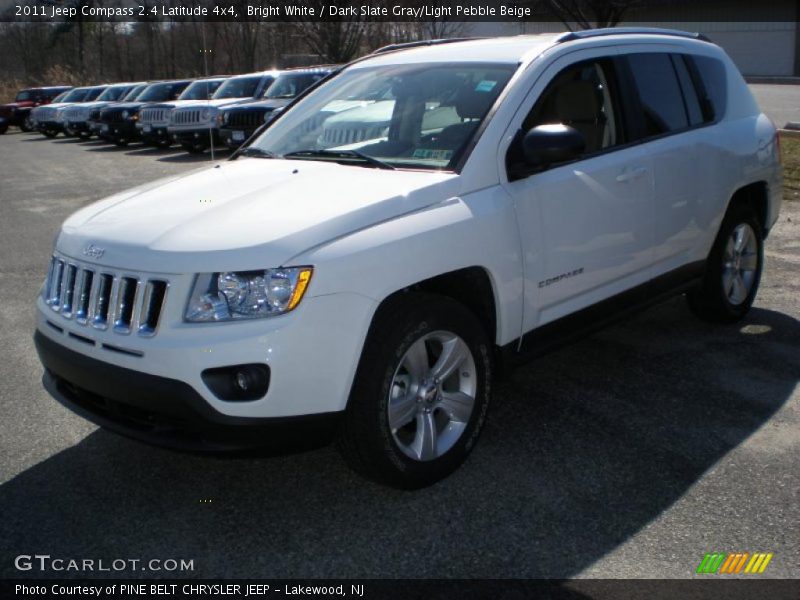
{"x":733,"y":270}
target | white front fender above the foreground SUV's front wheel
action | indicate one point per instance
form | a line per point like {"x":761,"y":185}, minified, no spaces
{"x":475,"y":230}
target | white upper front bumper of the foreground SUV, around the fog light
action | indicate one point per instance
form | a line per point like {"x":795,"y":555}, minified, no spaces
{"x":311,"y":356}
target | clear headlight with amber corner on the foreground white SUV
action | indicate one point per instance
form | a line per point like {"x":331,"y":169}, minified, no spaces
{"x":246,"y":295}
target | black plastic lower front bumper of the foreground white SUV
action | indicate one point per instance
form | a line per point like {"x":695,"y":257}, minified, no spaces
{"x":164,"y":411}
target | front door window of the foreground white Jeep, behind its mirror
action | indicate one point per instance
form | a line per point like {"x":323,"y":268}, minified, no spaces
{"x":581,"y":96}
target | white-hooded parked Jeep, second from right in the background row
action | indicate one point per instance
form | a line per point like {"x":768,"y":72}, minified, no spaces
{"x":195,"y":126}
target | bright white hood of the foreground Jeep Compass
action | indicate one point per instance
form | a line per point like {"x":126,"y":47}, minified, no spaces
{"x":246,"y":214}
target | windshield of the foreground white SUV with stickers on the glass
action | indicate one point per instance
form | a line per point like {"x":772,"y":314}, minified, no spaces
{"x":405,"y":116}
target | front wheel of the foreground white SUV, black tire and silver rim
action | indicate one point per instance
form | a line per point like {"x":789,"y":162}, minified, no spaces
{"x":429,"y":435}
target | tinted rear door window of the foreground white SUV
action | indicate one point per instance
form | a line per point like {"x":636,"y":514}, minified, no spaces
{"x":660,"y":95}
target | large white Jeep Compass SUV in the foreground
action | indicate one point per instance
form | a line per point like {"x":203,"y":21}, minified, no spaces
{"x":367,"y":285}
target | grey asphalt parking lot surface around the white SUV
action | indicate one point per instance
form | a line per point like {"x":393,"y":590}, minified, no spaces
{"x":629,"y":454}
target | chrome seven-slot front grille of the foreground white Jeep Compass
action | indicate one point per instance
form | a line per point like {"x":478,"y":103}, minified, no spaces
{"x":102,"y":300}
